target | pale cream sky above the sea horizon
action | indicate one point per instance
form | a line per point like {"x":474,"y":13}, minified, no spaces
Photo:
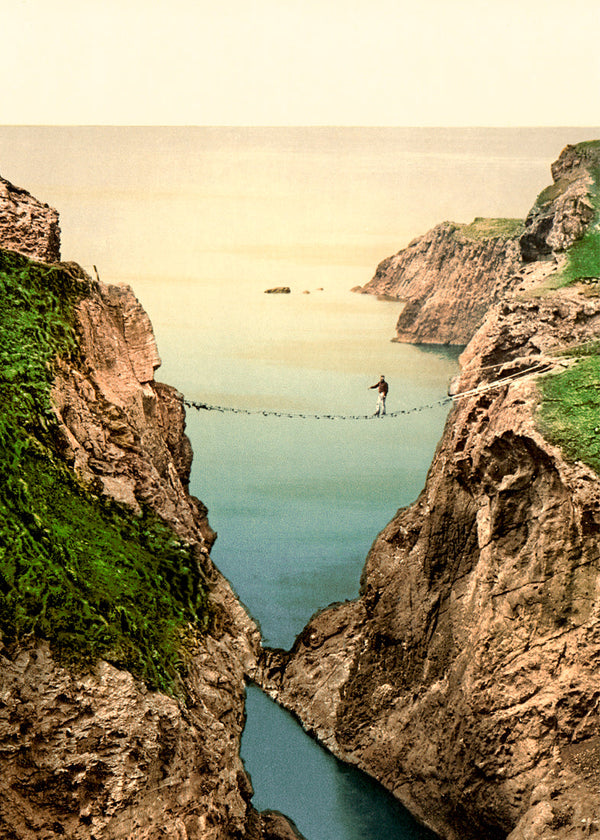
{"x":300,"y":62}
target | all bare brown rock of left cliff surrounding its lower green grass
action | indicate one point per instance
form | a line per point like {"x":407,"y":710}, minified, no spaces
{"x":90,"y":755}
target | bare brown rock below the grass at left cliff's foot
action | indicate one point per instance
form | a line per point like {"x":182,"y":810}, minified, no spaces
{"x":98,"y":756}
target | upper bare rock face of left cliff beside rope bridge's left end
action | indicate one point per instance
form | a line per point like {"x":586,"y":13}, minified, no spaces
{"x":122,"y":431}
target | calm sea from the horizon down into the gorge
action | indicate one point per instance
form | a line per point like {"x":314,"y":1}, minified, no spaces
{"x":201,"y":221}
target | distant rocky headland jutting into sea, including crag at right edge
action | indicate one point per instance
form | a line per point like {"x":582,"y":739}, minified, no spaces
{"x":448,"y":278}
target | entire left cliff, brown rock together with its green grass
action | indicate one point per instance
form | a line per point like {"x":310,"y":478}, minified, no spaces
{"x":88,"y":749}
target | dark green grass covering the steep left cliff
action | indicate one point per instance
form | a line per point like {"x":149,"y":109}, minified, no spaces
{"x":88,"y":575}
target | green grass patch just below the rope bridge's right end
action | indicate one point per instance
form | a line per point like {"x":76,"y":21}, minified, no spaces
{"x":569,"y":411}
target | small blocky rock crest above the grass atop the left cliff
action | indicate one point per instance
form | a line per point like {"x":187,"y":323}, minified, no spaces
{"x":27,"y":225}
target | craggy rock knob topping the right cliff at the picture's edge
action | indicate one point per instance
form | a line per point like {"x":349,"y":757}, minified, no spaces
{"x":563,"y":210}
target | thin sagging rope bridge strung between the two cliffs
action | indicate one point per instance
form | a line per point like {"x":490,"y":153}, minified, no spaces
{"x":536,"y":369}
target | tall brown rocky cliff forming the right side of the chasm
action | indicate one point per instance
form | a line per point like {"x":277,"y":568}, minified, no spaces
{"x":465,"y":676}
